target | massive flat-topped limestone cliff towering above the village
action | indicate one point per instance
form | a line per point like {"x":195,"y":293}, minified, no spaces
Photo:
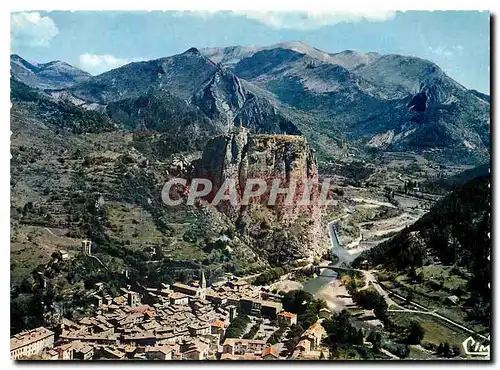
{"x":281,"y":232}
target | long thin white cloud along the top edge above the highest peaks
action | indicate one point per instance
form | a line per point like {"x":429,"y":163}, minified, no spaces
{"x":302,"y":20}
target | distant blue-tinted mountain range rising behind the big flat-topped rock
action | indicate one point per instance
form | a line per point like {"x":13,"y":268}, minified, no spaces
{"x":377,"y":102}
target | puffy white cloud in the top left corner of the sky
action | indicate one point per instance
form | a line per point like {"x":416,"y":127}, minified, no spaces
{"x":29,"y":28}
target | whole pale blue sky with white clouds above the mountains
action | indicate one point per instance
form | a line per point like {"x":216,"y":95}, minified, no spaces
{"x":457,"y":41}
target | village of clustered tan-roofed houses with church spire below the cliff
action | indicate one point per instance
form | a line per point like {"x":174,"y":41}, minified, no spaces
{"x":177,"y":322}
